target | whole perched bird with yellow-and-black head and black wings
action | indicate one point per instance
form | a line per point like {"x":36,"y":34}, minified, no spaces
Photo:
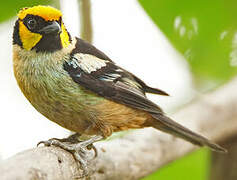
{"x":80,"y":88}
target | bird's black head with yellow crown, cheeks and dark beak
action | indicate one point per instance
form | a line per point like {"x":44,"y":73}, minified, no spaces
{"x":40,"y":28}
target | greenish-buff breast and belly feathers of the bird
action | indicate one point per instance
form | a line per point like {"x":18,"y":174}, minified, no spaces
{"x":50,"y":89}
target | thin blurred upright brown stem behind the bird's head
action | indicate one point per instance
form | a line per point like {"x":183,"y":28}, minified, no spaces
{"x":85,"y":17}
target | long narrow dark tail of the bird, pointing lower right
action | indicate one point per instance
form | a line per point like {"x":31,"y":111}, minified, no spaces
{"x":166,"y":124}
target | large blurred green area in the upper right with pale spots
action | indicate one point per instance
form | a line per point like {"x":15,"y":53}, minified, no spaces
{"x":204,"y":31}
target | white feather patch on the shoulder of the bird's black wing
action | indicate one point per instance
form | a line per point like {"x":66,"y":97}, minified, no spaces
{"x":89,"y":63}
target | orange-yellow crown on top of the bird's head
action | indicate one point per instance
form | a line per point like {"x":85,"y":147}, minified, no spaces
{"x":47,"y":12}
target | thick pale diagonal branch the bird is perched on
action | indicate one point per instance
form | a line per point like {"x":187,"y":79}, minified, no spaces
{"x":138,"y":153}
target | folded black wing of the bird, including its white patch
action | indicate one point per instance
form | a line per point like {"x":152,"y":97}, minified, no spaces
{"x":108,"y":80}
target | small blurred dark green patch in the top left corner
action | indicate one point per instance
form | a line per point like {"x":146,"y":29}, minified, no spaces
{"x":10,"y":8}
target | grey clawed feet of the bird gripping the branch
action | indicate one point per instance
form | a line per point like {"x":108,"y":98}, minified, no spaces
{"x":78,"y":148}
